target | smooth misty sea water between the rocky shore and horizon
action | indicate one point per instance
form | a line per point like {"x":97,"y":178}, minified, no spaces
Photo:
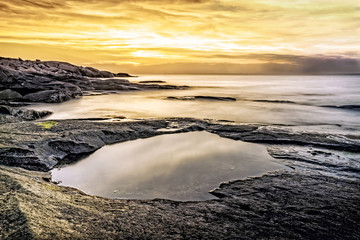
{"x":308,"y":94}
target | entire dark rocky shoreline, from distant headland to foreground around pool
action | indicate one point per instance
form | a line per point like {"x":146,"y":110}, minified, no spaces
{"x":319,"y":199}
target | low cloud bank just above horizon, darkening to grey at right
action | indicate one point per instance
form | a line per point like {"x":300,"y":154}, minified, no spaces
{"x":299,"y":65}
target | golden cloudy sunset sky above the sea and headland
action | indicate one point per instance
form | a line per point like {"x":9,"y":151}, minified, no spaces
{"x":187,"y":36}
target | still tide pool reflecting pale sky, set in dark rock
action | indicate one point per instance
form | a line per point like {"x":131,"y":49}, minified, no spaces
{"x":182,"y":166}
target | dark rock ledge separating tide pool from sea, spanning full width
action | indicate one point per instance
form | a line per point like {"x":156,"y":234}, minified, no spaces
{"x":73,"y":138}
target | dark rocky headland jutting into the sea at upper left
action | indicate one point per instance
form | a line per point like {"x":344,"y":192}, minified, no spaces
{"x":53,"y":81}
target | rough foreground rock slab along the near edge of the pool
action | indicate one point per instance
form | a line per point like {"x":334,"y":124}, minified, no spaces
{"x":274,"y":206}
